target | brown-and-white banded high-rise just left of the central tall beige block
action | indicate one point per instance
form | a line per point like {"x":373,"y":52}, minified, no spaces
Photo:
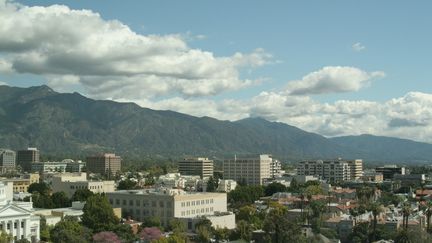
{"x":202,"y":167}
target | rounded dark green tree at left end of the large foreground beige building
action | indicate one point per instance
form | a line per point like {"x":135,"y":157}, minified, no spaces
{"x":98,"y":214}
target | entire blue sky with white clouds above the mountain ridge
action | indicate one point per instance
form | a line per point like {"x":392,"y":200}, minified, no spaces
{"x":331,"y":67}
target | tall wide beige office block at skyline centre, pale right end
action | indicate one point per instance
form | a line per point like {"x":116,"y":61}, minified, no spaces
{"x":252,"y":170}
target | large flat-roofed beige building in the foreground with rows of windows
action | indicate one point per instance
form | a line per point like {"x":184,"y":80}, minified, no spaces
{"x":167,"y":203}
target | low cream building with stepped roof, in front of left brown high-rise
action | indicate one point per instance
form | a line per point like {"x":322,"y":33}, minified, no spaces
{"x":70,"y":182}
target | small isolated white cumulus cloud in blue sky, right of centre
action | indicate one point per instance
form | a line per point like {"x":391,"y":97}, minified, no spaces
{"x":332,"y":79}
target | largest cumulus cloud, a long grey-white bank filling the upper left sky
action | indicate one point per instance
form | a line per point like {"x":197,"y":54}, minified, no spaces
{"x":61,"y":42}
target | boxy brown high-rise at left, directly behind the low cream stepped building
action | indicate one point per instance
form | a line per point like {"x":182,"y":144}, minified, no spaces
{"x":104,"y":164}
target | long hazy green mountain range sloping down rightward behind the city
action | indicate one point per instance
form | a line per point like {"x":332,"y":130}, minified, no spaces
{"x":65,"y":124}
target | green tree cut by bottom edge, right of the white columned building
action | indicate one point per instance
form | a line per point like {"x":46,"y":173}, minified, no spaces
{"x":69,"y":230}
